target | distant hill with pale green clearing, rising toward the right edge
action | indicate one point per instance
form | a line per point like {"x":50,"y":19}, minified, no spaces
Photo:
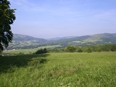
{"x":105,"y":38}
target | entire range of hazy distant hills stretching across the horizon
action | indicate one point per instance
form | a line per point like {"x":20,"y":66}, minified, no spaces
{"x":24,"y":41}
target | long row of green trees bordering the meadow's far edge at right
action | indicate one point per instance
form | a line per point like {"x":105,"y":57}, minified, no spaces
{"x":95,"y":48}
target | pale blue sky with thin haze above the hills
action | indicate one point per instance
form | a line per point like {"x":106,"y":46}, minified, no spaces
{"x":61,"y":18}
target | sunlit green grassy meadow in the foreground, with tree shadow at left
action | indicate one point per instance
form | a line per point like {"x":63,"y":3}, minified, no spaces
{"x":59,"y":70}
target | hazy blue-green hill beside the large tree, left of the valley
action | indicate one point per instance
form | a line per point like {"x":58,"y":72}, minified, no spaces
{"x":24,"y":41}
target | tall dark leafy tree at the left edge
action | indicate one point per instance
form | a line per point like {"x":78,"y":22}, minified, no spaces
{"x":7,"y":18}
